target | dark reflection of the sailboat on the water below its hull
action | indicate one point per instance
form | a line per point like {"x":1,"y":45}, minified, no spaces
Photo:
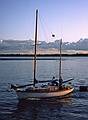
{"x":41,"y":109}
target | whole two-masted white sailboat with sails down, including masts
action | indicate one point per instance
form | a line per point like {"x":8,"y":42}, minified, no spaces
{"x":53,"y":88}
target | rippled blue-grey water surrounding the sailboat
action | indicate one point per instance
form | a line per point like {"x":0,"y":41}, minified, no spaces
{"x":72,"y":107}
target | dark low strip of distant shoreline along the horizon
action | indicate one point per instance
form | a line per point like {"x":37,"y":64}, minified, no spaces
{"x":39,"y":56}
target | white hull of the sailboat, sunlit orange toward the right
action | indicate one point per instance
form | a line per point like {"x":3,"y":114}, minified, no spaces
{"x":29,"y":95}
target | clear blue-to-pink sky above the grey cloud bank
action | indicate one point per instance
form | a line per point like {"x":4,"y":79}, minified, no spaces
{"x":67,"y":19}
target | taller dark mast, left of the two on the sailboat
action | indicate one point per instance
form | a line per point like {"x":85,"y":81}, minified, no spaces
{"x":35,"y":47}
